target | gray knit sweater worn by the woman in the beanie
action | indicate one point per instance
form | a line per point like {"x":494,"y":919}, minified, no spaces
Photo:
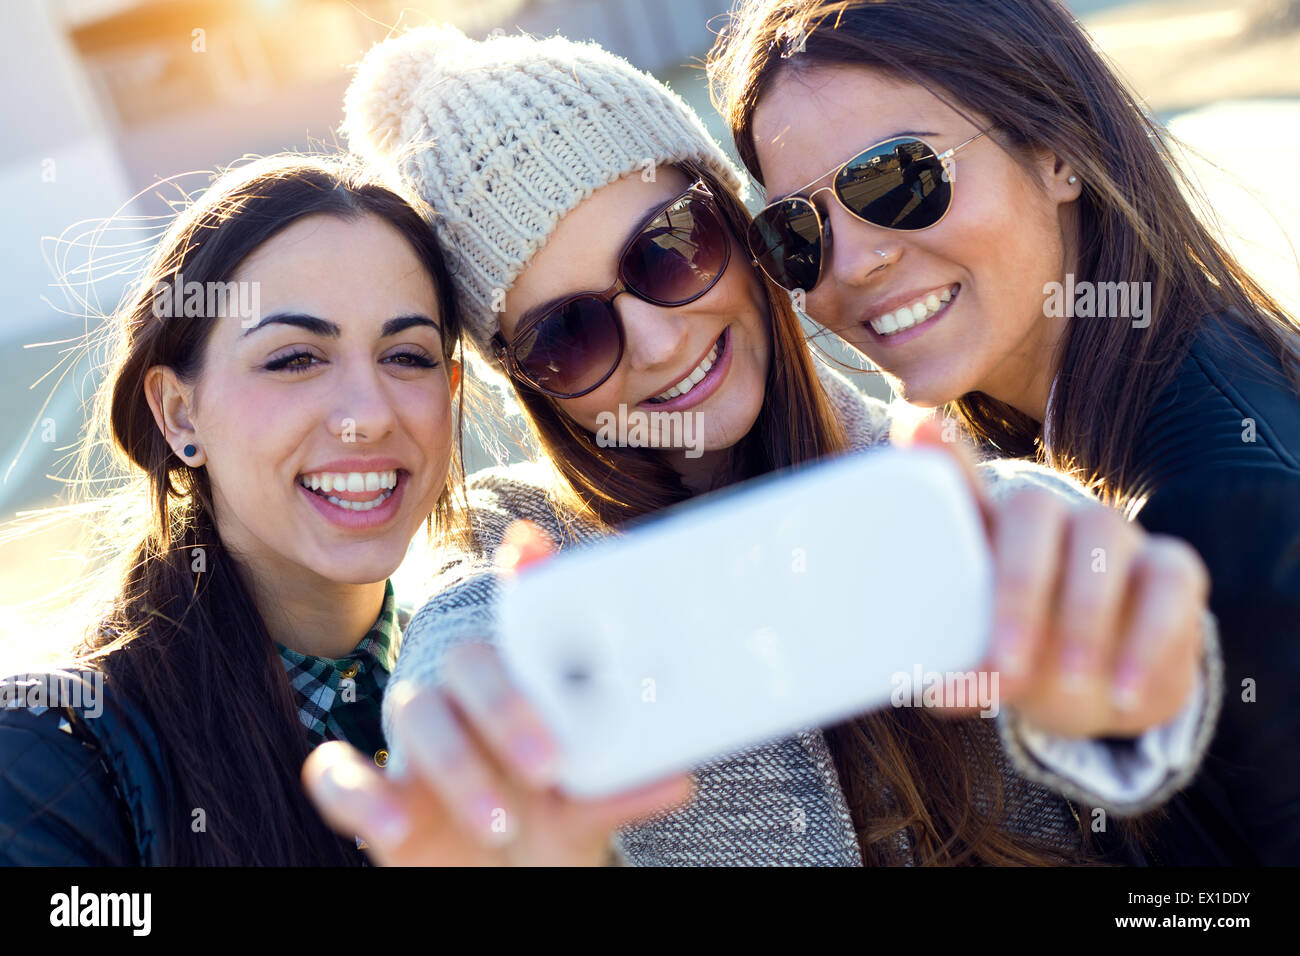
{"x":782,"y":804}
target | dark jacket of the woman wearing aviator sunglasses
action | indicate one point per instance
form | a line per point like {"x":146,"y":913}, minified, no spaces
{"x":1220,"y":468}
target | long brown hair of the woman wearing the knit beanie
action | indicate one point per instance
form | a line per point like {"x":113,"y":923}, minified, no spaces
{"x":921,"y":788}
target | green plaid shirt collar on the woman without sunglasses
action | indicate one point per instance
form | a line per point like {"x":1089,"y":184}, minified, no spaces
{"x":340,"y":699}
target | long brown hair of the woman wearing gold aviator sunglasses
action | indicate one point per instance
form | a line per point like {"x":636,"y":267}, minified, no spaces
{"x":1033,"y":72}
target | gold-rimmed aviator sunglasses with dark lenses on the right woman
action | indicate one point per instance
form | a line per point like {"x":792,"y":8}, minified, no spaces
{"x":902,"y":184}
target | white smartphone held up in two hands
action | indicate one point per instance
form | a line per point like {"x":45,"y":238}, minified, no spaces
{"x":790,"y":603}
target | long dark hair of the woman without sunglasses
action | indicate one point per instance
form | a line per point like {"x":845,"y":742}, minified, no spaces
{"x":184,"y":647}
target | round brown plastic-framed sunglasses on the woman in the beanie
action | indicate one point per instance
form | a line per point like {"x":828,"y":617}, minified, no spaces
{"x":571,"y":348}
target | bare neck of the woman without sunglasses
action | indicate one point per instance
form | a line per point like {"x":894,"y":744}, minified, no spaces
{"x":311,"y":615}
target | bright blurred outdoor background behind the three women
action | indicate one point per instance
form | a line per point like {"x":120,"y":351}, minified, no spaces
{"x":107,"y":98}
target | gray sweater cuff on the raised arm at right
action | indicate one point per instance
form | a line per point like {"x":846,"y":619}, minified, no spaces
{"x":1125,"y":777}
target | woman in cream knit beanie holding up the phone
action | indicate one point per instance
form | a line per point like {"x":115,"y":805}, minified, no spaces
{"x":593,"y":231}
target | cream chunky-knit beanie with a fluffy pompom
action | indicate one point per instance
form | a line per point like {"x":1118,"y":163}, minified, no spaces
{"x":505,"y":137}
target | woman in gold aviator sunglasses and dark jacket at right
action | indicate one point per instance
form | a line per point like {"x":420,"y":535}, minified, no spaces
{"x":1171,"y":382}
